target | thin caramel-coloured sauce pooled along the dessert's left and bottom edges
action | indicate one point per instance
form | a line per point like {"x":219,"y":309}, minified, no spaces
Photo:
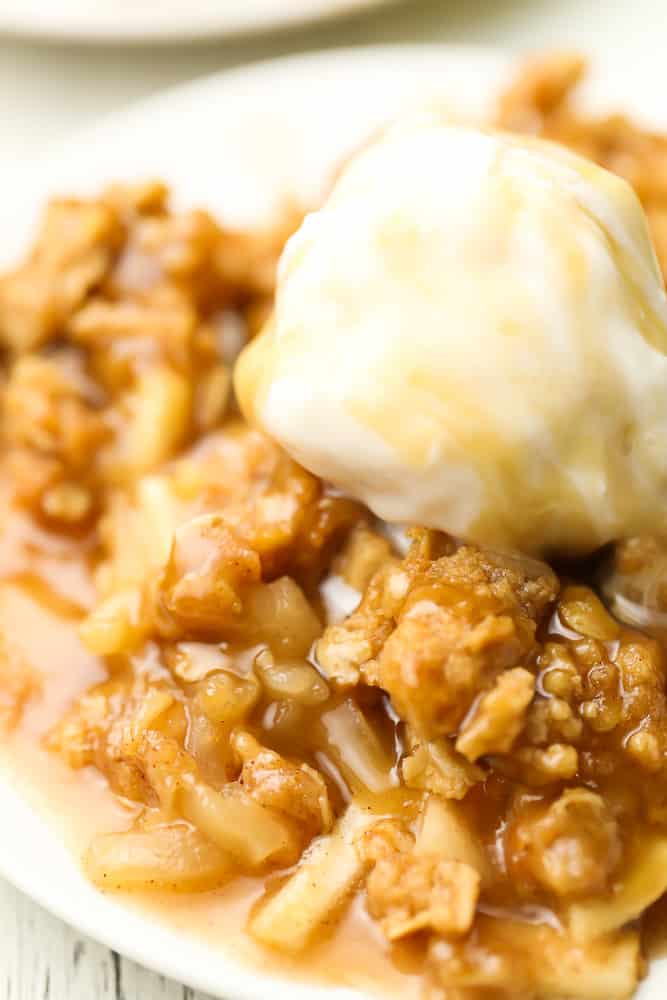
{"x":78,"y":804}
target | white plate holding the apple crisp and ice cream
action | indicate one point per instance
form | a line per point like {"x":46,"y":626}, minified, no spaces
{"x":238,"y":143}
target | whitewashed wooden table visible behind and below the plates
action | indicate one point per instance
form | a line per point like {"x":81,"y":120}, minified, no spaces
{"x":46,"y":92}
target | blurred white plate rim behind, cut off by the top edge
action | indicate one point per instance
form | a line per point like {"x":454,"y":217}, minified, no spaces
{"x":163,"y":20}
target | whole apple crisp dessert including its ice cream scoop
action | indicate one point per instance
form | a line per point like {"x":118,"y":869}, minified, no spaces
{"x":337,"y":585}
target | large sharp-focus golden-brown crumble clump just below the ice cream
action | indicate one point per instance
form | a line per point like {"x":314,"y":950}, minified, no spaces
{"x":435,"y":633}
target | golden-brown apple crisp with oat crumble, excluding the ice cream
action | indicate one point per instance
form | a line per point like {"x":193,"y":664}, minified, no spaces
{"x":479,"y":749}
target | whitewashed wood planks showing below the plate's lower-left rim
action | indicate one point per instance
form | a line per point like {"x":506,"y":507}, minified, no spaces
{"x":43,"y":959}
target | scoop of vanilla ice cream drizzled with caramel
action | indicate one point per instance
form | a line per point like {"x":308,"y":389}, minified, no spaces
{"x":471,"y":335}
